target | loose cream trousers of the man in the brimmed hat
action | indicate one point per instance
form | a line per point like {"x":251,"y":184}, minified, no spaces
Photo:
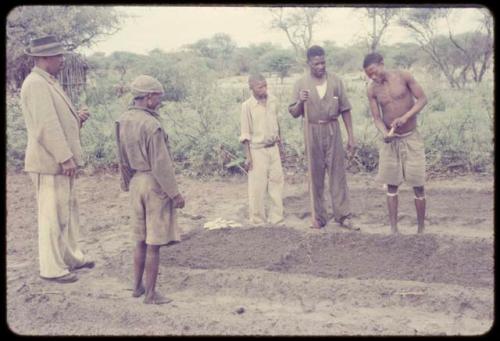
{"x":58,"y":225}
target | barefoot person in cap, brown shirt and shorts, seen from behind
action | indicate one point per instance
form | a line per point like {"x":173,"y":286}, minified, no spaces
{"x":147,"y":169}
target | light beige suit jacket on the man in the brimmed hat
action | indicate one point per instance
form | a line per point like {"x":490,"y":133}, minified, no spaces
{"x":52,"y":123}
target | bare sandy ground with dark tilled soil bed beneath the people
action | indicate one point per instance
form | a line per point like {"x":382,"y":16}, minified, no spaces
{"x":268,"y":280}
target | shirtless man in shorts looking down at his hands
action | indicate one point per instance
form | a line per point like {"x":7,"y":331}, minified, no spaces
{"x":395,"y":99}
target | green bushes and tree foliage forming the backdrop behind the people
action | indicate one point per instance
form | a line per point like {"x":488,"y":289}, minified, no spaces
{"x":206,"y":82}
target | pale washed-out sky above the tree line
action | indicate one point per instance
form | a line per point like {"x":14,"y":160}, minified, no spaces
{"x":168,"y":28}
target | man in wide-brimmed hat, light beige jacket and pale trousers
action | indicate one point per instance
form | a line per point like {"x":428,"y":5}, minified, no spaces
{"x":52,"y":156}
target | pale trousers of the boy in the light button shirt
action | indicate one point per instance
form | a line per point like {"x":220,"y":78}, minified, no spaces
{"x":266,"y":176}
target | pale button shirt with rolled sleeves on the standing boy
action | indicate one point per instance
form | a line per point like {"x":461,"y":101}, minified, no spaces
{"x":259,"y":122}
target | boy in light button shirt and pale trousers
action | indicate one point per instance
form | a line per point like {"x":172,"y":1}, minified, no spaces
{"x":260,"y":135}
